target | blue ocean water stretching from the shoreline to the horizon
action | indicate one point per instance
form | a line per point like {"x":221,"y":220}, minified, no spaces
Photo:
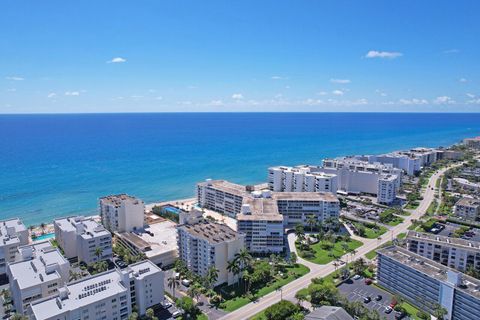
{"x":56,"y":165}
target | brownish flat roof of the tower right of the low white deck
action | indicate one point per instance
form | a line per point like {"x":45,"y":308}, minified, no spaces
{"x":212,"y":232}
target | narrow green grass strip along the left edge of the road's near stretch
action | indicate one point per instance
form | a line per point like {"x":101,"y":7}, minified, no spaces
{"x":239,"y":300}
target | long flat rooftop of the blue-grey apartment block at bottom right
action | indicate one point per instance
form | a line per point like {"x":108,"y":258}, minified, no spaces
{"x":430,"y":268}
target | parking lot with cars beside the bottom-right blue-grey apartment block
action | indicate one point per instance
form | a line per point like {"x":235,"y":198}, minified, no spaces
{"x":357,"y":290}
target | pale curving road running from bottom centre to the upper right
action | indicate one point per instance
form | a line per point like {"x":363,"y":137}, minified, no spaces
{"x":289,"y":290}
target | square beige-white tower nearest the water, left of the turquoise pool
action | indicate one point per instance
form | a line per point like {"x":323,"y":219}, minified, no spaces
{"x":122,"y":213}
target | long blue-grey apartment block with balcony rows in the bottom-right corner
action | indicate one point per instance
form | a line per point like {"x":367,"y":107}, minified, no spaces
{"x":428,"y":284}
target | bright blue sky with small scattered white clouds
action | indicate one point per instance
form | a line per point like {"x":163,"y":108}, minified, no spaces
{"x":153,"y":56}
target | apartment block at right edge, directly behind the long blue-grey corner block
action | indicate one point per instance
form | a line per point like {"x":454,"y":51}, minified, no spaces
{"x":452,"y":252}
